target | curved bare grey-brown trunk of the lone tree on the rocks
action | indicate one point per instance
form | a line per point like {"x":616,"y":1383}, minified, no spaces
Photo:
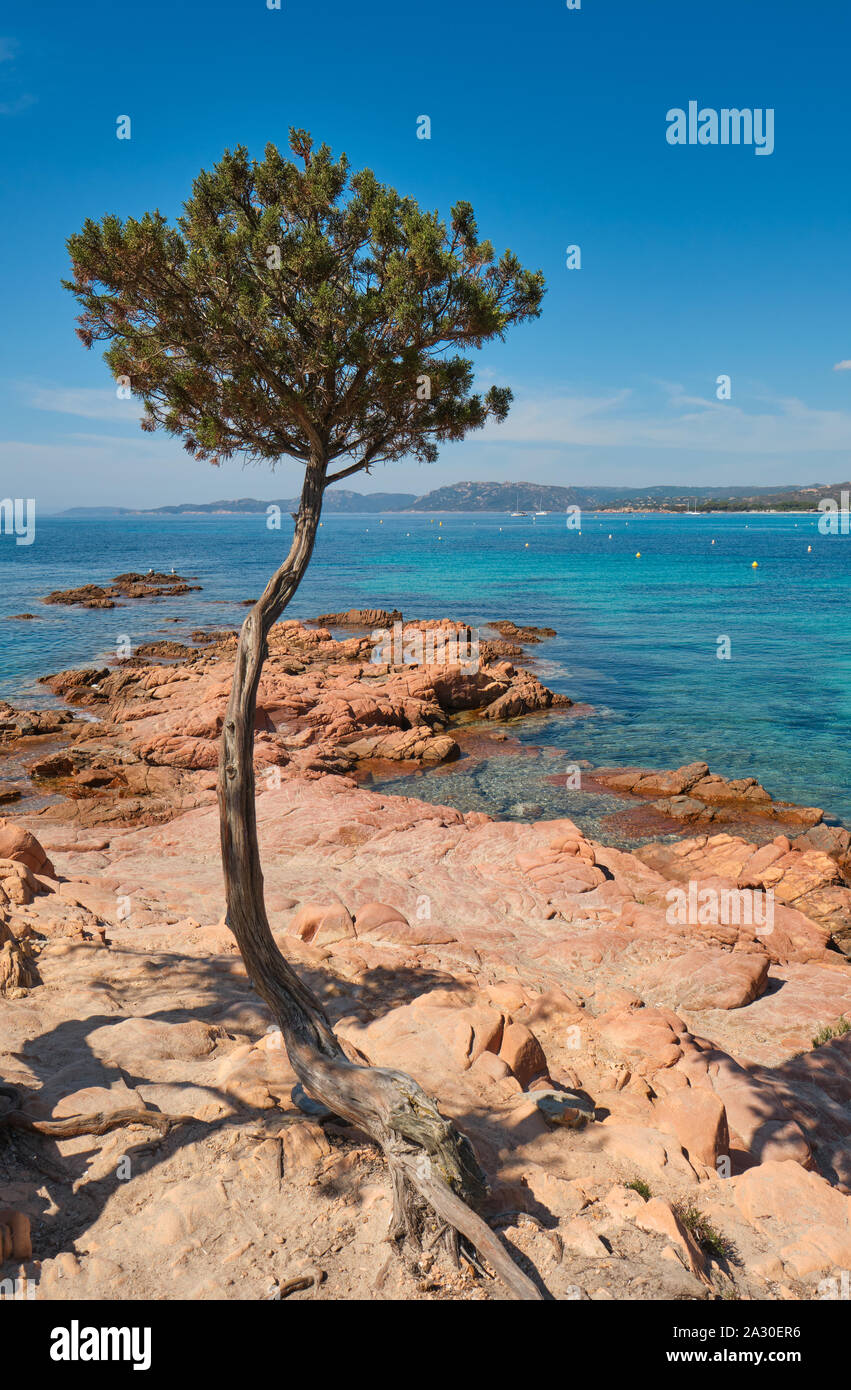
{"x":433,"y":1168}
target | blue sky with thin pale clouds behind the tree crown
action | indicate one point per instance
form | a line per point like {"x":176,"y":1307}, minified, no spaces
{"x":697,"y":261}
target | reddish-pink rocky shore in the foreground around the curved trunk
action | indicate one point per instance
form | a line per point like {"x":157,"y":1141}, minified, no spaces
{"x":663,"y":1104}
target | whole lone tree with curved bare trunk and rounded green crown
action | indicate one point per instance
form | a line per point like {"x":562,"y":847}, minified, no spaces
{"x":301,"y":311}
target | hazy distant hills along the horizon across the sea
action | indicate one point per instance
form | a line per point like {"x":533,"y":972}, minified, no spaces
{"x":518,"y":497}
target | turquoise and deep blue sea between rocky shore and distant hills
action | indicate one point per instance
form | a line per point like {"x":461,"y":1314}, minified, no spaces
{"x":636,"y":637}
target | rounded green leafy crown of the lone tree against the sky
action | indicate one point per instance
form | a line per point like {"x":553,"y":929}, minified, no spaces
{"x":300,"y":309}
